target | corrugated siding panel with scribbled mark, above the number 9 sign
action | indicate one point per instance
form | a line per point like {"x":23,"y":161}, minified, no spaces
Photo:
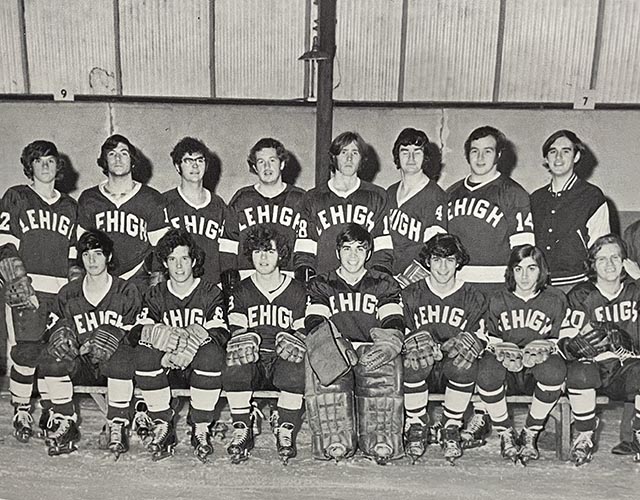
{"x":66,"y":40}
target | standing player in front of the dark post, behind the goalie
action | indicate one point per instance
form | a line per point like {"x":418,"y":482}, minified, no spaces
{"x":343,"y":200}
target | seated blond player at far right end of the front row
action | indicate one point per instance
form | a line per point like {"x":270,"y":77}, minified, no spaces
{"x":600,"y":341}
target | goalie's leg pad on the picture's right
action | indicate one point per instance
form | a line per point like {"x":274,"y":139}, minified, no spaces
{"x":380,"y":406}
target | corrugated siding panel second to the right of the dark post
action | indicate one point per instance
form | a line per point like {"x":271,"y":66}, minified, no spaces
{"x":451,"y":50}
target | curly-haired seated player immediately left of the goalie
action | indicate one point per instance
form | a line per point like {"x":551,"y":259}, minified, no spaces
{"x":266,"y":349}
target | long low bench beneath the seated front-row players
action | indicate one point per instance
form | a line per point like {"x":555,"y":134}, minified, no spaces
{"x":561,"y":413}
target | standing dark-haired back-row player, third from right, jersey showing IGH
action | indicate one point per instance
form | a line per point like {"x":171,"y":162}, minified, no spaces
{"x":413,"y":203}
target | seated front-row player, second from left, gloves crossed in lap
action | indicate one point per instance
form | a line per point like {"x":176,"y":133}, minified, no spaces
{"x":183,"y":329}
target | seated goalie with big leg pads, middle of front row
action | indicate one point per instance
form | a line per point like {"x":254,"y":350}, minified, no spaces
{"x":354,"y":398}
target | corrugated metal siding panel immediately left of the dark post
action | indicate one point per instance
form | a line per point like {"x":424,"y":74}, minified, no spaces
{"x":258,"y":43}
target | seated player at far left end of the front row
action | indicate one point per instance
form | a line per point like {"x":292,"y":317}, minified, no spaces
{"x":88,"y":342}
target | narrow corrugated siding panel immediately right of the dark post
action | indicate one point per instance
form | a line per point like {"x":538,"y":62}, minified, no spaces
{"x":368,"y":50}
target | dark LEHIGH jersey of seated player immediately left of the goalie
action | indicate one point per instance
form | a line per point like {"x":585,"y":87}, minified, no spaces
{"x":268,"y":312}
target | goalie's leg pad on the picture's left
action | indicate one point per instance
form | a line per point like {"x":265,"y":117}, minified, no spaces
{"x":331,"y":416}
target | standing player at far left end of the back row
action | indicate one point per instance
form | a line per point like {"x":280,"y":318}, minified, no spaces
{"x":37,"y":237}
